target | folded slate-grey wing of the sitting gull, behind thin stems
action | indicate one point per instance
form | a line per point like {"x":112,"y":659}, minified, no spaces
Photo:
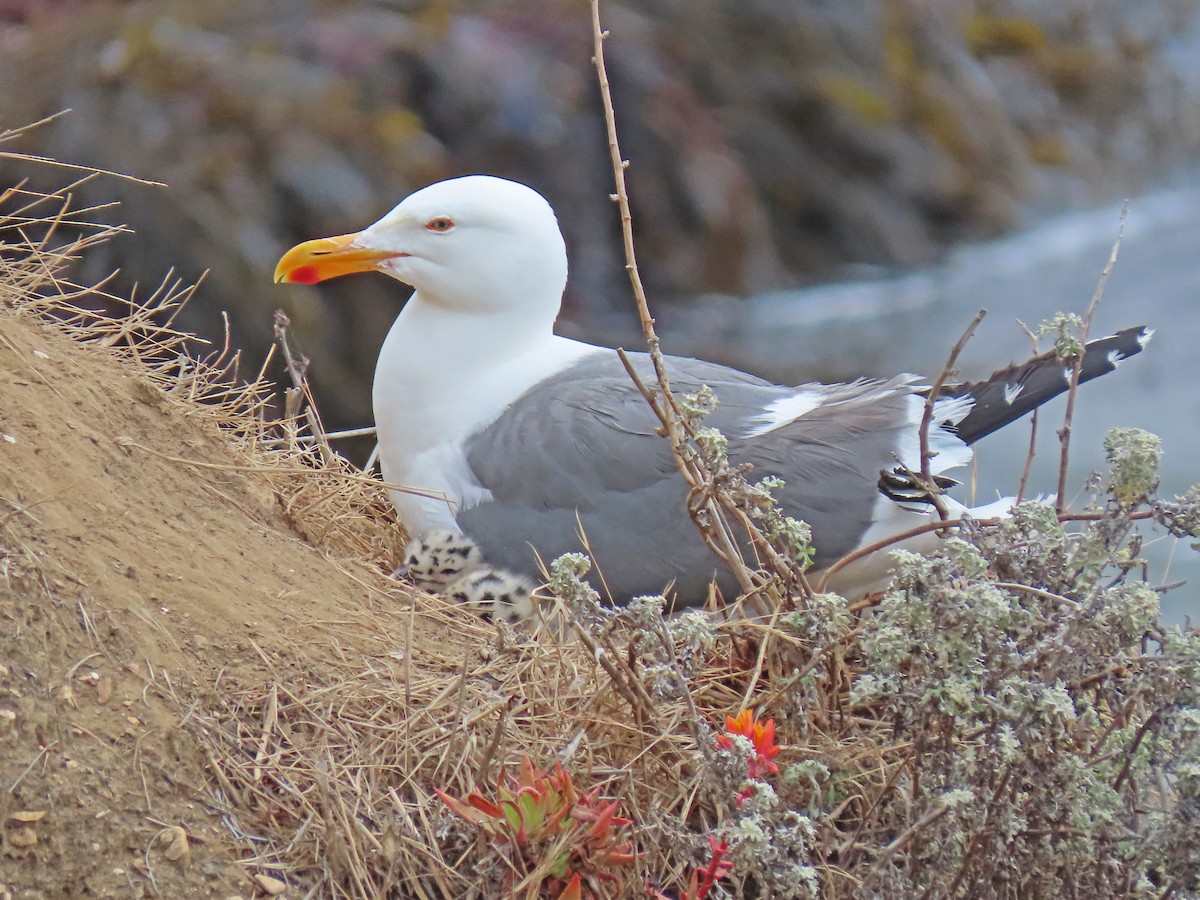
{"x":581,"y":449}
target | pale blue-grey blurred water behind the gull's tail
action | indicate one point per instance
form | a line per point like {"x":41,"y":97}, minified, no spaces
{"x":909,"y":322}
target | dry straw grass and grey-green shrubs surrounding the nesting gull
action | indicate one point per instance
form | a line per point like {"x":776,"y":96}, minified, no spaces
{"x":1009,"y":719}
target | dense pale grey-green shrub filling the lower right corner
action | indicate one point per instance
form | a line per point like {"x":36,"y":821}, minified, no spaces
{"x":1046,"y":724}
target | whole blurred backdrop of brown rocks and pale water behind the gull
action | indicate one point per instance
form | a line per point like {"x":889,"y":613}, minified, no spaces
{"x":880,"y":148}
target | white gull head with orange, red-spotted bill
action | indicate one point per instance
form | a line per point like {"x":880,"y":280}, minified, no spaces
{"x":476,"y":245}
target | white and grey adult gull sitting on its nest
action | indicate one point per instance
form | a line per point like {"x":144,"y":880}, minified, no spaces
{"x":531,"y":446}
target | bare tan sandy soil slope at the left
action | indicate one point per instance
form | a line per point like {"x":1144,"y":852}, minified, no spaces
{"x":131,"y":585}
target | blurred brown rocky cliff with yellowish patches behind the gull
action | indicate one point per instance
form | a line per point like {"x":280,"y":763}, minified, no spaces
{"x":775,"y":142}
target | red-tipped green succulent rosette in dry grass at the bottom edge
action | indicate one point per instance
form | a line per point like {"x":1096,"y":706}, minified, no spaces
{"x":549,"y":836}
